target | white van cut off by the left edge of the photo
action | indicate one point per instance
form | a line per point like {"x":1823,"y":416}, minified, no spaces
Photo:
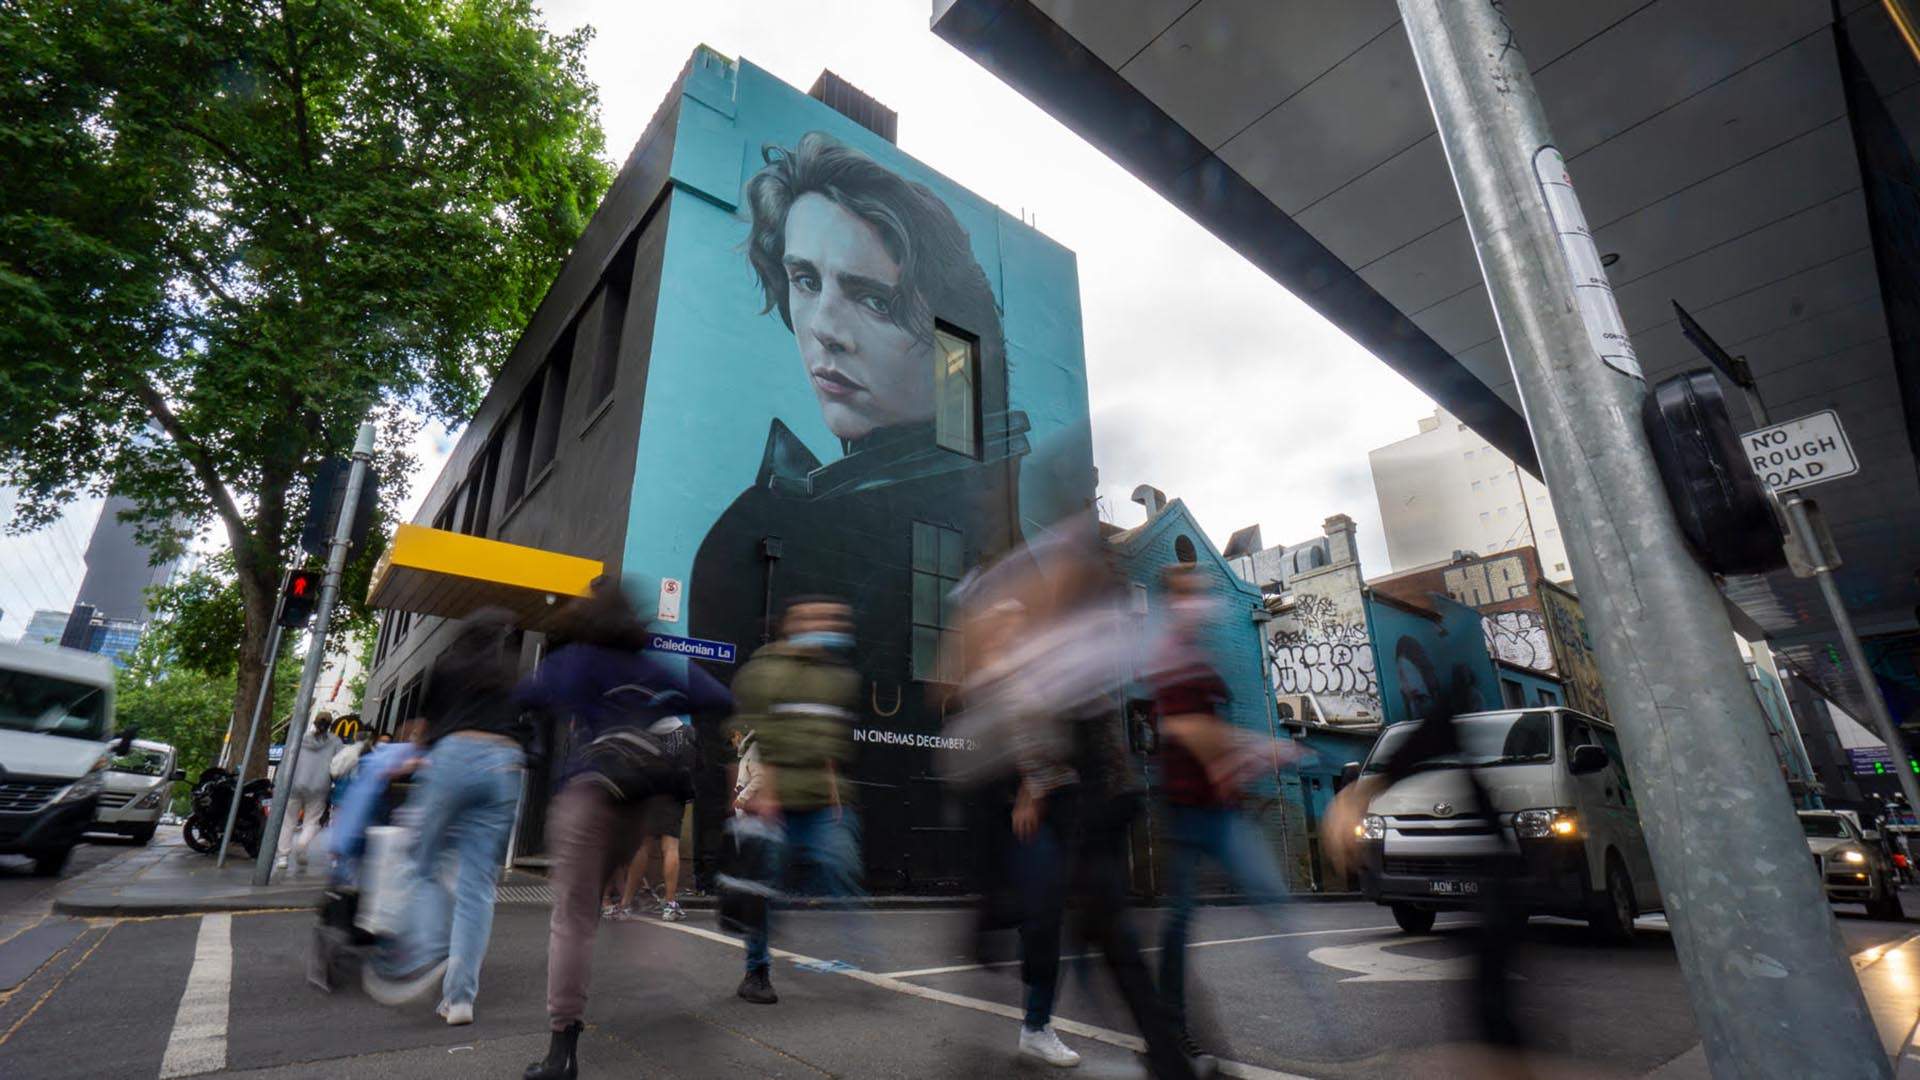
{"x":57,"y":722}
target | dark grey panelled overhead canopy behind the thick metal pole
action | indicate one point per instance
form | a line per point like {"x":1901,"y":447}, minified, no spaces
{"x":1748,"y":160}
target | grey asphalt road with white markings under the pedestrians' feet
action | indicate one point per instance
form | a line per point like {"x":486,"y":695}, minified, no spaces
{"x":1328,"y":991}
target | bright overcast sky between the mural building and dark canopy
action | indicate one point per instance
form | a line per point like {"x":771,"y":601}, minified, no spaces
{"x":1207,"y":380}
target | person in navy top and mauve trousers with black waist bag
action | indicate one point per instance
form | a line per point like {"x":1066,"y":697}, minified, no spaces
{"x":627,"y":708}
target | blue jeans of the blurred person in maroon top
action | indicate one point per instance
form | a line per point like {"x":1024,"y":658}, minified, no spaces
{"x":1241,"y":848}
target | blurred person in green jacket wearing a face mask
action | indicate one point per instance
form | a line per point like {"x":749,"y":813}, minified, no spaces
{"x":798,"y":697}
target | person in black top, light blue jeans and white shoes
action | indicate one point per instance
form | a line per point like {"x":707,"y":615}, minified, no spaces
{"x":462,"y":810}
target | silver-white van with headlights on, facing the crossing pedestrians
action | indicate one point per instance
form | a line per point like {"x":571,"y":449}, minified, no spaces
{"x":1564,"y":810}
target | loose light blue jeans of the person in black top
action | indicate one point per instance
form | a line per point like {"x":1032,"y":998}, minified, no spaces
{"x":464,"y":810}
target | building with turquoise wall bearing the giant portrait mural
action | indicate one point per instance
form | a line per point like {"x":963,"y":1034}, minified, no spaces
{"x":784,"y":358}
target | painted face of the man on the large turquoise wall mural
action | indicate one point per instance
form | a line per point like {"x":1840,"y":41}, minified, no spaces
{"x":867,"y":372}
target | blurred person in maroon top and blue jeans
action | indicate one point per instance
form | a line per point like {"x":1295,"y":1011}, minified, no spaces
{"x":1203,"y":766}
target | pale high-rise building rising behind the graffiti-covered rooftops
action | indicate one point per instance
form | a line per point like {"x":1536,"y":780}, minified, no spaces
{"x":1449,"y":491}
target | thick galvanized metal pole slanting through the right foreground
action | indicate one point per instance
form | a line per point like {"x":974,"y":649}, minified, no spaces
{"x":1758,"y":943}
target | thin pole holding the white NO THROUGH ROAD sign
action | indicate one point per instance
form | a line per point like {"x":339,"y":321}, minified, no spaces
{"x":1821,"y":556}
